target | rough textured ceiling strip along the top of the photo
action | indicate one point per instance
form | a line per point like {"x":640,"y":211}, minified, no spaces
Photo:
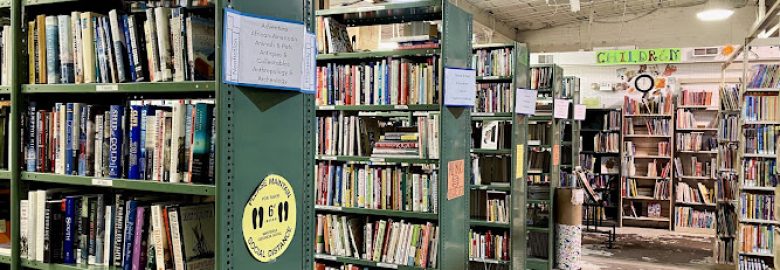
{"x":537,"y":14}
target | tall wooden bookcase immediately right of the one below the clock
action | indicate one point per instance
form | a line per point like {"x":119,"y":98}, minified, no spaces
{"x":695,"y":161}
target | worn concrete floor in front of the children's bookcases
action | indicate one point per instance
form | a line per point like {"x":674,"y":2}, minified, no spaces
{"x":640,"y":249}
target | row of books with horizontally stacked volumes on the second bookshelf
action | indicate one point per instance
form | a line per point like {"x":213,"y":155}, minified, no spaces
{"x":340,"y":134}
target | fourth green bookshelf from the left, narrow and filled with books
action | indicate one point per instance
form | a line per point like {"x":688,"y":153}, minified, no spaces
{"x":546,"y":137}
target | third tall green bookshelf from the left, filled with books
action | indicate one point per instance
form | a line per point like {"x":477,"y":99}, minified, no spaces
{"x":487,"y":186}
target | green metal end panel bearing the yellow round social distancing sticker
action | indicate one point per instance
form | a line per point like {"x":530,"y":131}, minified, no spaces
{"x":263,"y":132}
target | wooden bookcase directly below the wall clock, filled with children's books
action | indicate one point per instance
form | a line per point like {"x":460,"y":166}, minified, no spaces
{"x":647,"y":173}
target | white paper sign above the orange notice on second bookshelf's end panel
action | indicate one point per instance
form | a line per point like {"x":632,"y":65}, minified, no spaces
{"x":460,"y":87}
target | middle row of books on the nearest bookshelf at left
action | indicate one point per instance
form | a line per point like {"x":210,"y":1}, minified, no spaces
{"x":158,"y":140}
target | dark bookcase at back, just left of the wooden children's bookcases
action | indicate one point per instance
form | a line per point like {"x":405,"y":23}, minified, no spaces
{"x":600,"y":158}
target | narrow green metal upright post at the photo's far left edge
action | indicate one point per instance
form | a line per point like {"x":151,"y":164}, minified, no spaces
{"x":15,"y":147}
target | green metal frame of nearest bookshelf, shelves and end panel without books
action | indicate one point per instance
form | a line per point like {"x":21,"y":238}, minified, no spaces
{"x":240,"y":160}
